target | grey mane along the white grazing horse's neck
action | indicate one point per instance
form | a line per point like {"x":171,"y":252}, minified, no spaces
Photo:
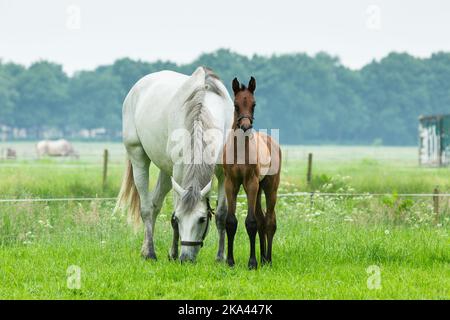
{"x":197,"y":173}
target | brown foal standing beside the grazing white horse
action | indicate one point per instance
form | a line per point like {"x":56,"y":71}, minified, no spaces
{"x":253,"y":160}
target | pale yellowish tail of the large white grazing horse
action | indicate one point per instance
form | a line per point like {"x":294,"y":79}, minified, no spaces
{"x":128,"y":196}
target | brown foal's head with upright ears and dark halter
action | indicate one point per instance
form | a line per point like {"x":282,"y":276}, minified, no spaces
{"x":244,"y":104}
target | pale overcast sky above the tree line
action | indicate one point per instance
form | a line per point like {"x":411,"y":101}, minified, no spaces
{"x":82,"y":34}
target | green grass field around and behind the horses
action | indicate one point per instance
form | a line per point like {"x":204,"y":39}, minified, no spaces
{"x":366,"y":247}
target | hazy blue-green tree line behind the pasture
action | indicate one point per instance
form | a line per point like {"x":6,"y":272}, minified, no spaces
{"x":311,"y":99}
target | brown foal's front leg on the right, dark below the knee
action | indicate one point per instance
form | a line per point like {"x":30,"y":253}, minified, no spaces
{"x":251,"y":187}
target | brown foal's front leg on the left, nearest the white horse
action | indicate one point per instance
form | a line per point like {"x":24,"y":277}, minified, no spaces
{"x":231,"y":190}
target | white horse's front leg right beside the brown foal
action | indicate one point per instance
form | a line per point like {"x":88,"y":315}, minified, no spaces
{"x":221,"y":216}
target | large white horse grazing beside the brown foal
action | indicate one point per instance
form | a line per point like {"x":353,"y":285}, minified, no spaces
{"x":156,"y":112}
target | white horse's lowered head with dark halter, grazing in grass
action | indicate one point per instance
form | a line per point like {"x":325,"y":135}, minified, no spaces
{"x":191,"y":219}
